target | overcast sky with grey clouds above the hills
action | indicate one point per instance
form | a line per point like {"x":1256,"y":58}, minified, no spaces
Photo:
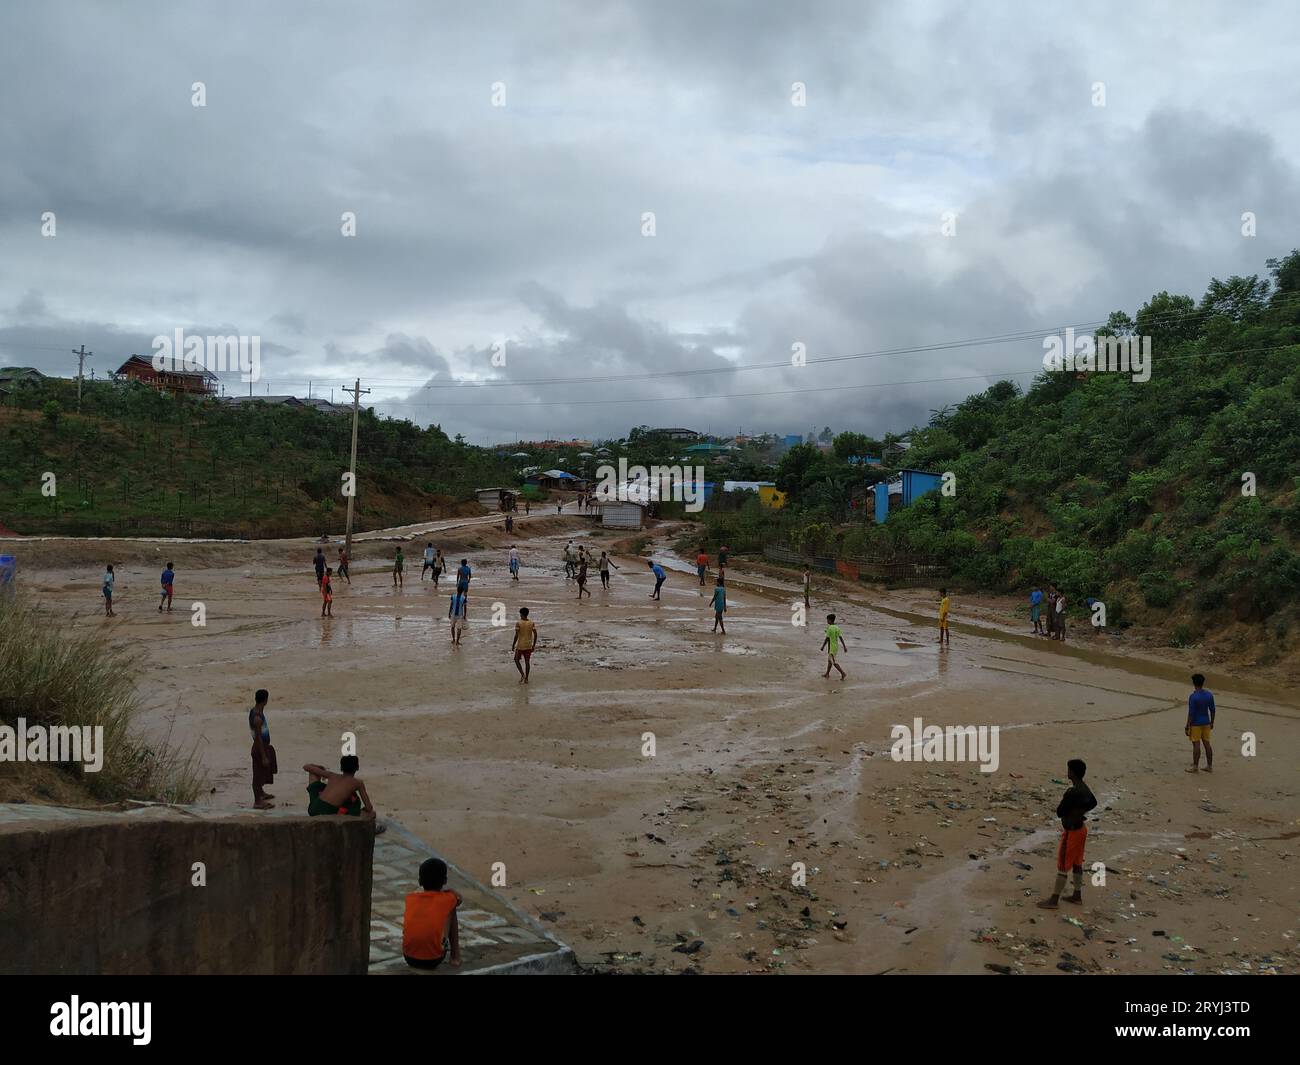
{"x":522,"y":224}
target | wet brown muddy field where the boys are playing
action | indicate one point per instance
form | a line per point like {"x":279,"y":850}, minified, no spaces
{"x":684,"y":860}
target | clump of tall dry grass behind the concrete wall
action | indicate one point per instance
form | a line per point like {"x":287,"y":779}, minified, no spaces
{"x":54,"y":676}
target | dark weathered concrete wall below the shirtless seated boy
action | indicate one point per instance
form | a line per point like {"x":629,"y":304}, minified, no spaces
{"x":115,"y":895}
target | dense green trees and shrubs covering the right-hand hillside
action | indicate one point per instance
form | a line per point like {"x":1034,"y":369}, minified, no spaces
{"x":1108,"y":487}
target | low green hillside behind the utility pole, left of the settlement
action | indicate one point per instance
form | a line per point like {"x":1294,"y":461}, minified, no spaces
{"x":137,"y":462}
